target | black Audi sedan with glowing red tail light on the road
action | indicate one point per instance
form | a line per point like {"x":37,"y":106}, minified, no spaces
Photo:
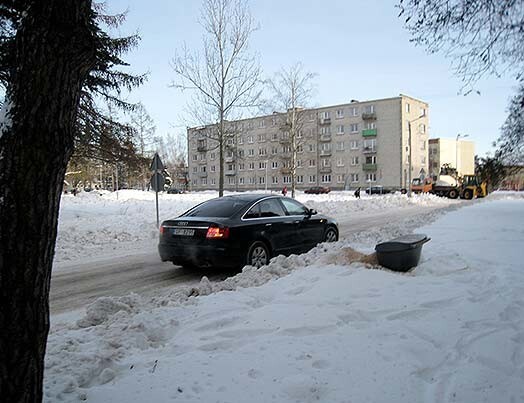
{"x":239,"y":230}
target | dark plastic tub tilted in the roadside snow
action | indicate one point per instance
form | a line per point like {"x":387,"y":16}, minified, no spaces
{"x":402,"y":253}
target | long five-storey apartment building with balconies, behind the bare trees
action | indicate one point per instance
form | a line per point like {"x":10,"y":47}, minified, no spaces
{"x":340,"y":146}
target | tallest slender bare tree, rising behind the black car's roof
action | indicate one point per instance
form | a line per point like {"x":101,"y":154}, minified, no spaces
{"x":225,"y":75}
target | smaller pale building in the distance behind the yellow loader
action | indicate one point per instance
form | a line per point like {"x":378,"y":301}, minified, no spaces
{"x":458,"y":153}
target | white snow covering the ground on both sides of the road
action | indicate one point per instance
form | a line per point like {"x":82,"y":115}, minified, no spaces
{"x":305,"y":328}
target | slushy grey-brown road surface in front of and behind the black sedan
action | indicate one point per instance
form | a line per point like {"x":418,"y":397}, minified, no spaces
{"x":76,"y":285}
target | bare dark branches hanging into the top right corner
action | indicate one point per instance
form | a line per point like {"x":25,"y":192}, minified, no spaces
{"x":483,"y":36}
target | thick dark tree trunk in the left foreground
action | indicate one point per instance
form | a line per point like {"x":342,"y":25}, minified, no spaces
{"x":54,"y":51}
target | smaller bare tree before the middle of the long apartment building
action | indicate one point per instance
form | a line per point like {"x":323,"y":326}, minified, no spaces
{"x":292,"y":89}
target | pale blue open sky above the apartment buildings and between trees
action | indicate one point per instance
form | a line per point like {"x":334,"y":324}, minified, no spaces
{"x":359,"y":50}
